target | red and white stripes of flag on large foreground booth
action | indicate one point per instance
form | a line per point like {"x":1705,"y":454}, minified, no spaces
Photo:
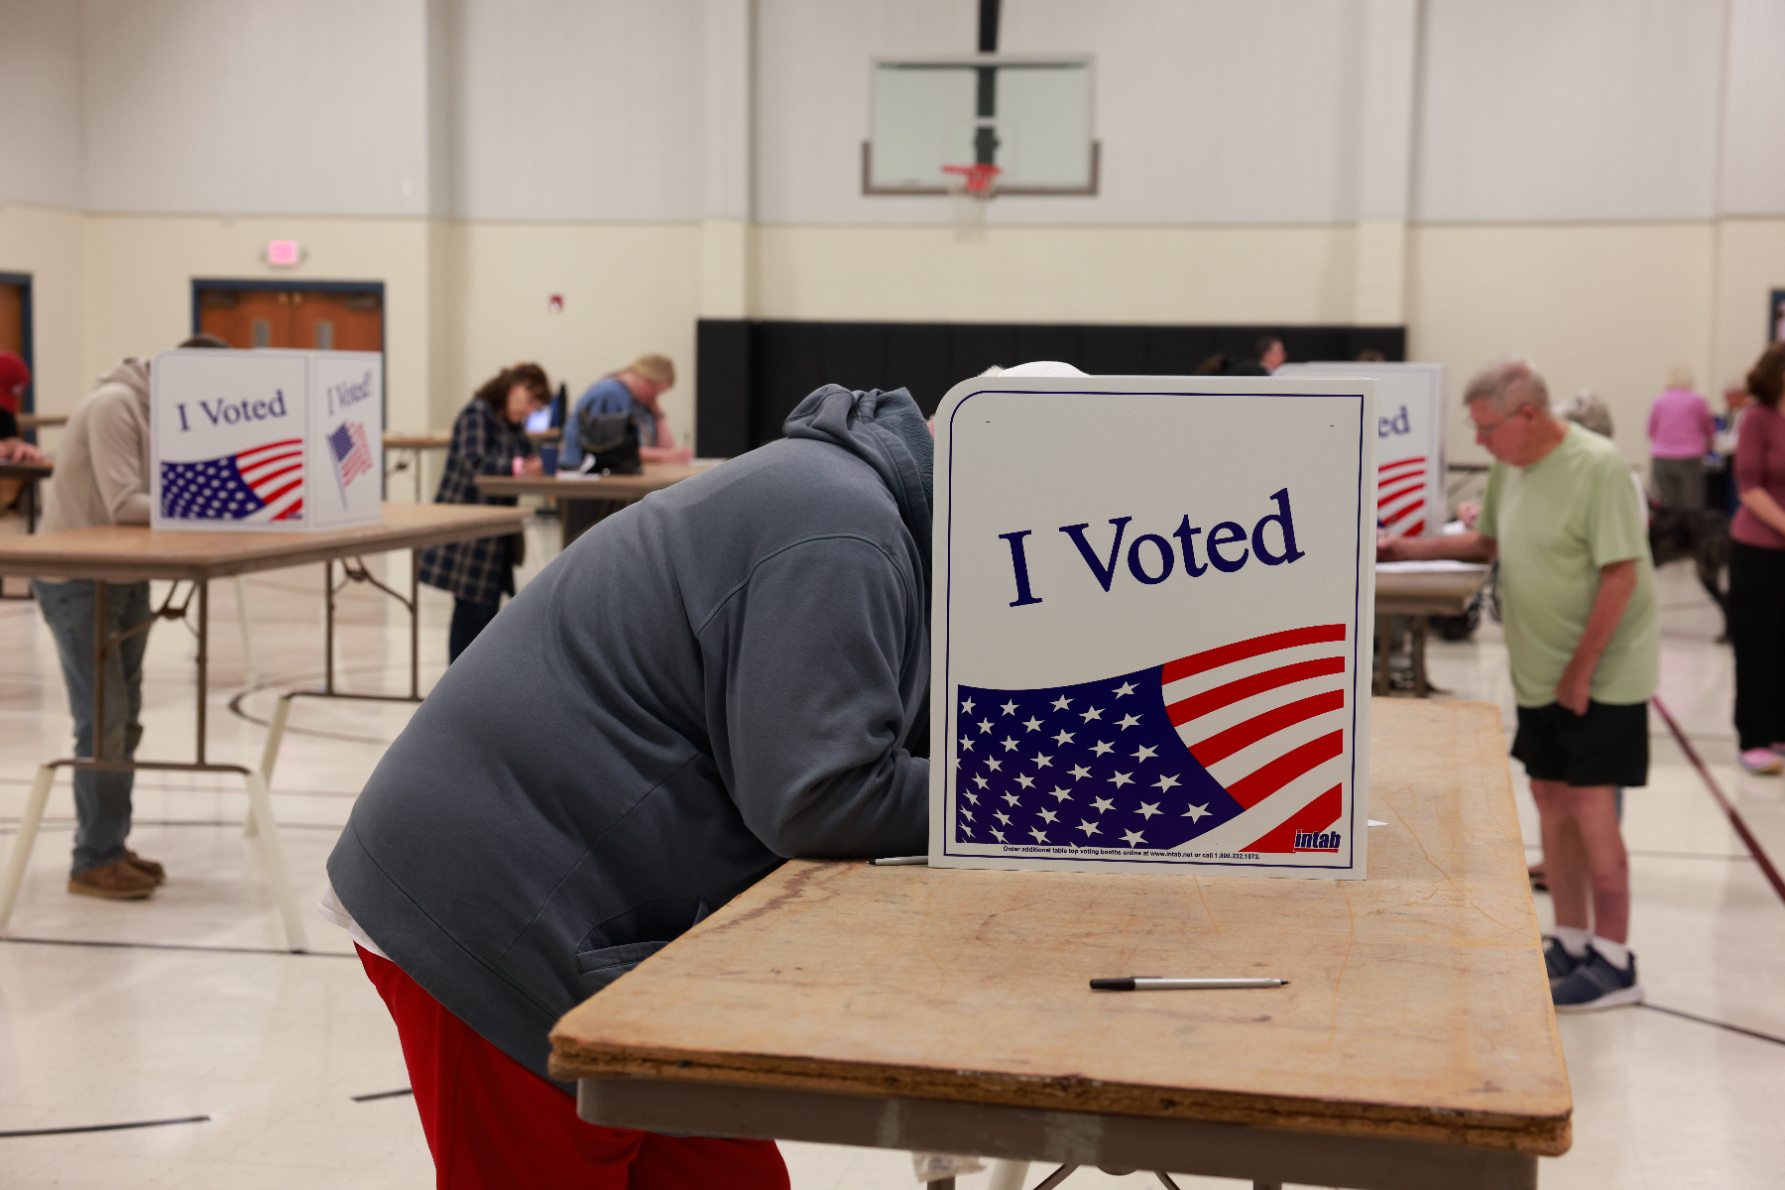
{"x":1268,"y":720}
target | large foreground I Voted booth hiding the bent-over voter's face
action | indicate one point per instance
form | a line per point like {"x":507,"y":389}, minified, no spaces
{"x":1152,"y":625}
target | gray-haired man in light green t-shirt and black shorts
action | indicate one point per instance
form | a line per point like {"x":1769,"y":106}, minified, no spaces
{"x":1579,"y":593}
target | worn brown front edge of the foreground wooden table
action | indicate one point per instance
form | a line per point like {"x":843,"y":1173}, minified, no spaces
{"x":1548,"y":1136}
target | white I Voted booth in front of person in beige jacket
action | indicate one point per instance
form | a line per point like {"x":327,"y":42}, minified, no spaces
{"x":267,"y":440}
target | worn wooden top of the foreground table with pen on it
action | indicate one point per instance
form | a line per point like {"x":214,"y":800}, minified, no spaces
{"x":1418,"y":1004}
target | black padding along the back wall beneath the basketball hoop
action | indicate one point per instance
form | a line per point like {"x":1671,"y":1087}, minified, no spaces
{"x":752,"y":374}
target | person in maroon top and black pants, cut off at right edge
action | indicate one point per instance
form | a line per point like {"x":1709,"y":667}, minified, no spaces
{"x":1757,"y":570}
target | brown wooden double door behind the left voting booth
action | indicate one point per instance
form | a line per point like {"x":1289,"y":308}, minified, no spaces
{"x":310,"y":320}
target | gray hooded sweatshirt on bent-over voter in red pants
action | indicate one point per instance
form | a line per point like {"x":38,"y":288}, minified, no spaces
{"x":726,"y":675}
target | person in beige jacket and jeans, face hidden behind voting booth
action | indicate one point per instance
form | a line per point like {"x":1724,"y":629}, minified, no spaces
{"x":103,"y":474}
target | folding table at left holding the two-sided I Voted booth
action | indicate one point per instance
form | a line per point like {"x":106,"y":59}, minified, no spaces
{"x":115,"y":554}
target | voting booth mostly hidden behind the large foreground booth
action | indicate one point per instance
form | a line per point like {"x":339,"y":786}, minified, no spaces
{"x":1411,"y":497}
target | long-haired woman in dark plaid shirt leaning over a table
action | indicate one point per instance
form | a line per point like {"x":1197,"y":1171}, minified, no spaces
{"x":488,"y":438}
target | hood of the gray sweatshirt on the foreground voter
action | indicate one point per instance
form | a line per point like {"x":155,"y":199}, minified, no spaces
{"x":888,"y":433}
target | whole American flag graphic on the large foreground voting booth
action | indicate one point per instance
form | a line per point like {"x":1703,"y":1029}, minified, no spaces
{"x":1234,"y":752}
